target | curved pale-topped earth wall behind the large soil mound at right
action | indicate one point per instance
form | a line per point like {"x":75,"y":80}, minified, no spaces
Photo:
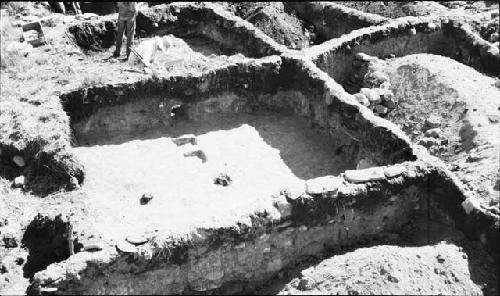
{"x":432,"y":35}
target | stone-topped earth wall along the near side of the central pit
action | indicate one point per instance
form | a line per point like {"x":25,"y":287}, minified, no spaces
{"x":239,"y":259}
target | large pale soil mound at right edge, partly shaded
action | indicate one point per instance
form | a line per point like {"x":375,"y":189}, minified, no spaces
{"x":468,"y":112}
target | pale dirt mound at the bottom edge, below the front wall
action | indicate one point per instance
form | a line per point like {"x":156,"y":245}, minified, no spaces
{"x":383,"y":270}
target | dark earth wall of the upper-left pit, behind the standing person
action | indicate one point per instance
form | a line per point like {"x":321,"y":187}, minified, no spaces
{"x":183,"y":19}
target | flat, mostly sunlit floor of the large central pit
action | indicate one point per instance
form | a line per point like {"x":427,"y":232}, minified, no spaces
{"x":261,"y":153}
